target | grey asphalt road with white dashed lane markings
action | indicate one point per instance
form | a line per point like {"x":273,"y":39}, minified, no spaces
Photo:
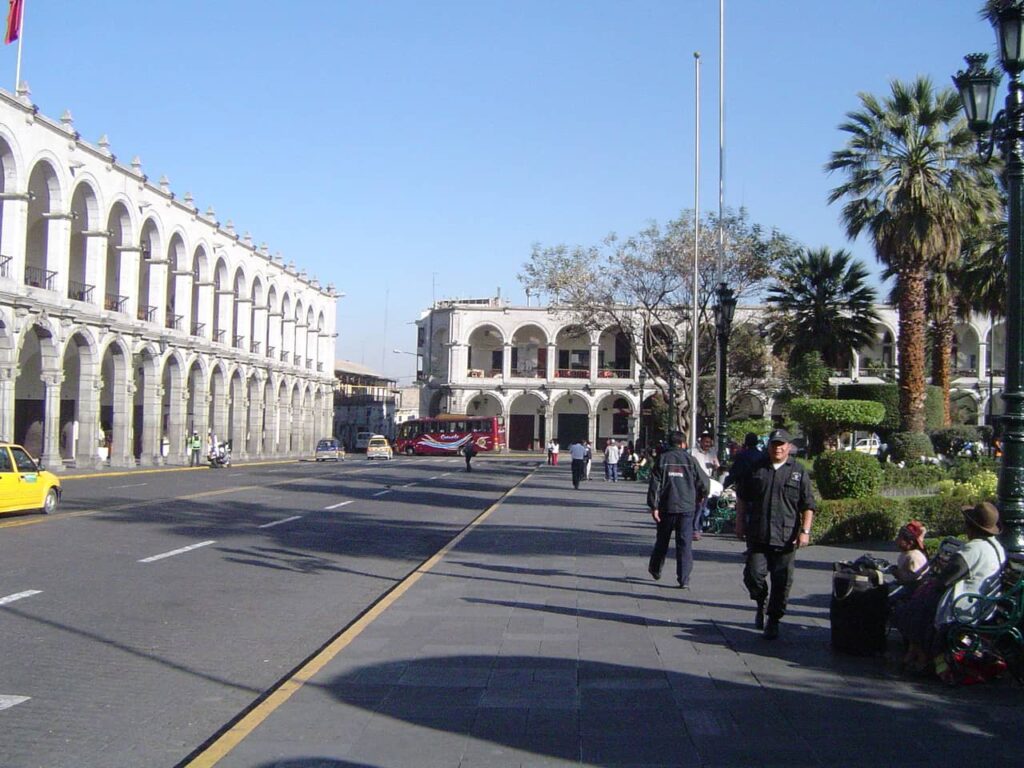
{"x":156,"y":607}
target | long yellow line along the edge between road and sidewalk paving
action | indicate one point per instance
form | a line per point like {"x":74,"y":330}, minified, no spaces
{"x":232,"y":738}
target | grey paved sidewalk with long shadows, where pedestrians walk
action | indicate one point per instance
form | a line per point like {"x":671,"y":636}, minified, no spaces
{"x":540,"y":641}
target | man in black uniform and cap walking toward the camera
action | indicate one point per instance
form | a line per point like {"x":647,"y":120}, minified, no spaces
{"x":775,"y":510}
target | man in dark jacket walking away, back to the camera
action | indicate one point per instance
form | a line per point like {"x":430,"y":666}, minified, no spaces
{"x":677,"y":487}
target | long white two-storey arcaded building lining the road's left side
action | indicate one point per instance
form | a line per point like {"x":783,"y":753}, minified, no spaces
{"x":130,"y":319}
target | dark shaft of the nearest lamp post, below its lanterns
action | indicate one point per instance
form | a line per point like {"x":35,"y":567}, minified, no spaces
{"x":1012,"y":473}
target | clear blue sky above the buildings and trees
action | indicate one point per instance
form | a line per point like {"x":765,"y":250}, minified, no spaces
{"x":402,"y":148}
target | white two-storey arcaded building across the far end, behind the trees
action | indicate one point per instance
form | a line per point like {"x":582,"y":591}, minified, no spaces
{"x":551,"y":378}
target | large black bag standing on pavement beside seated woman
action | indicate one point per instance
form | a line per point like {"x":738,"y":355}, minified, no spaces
{"x":860,"y":609}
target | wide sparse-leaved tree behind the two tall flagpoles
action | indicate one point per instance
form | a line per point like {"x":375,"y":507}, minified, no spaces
{"x":644,"y":285}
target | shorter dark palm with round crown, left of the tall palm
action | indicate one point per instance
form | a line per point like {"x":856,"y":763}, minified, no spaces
{"x":821,"y":303}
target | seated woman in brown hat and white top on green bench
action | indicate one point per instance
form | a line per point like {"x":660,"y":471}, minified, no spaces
{"x":975,"y":569}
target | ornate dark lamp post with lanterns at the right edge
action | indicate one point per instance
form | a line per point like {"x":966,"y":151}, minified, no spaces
{"x":977,"y":87}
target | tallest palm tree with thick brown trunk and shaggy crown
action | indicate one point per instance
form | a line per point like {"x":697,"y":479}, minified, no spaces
{"x":914,"y":183}
